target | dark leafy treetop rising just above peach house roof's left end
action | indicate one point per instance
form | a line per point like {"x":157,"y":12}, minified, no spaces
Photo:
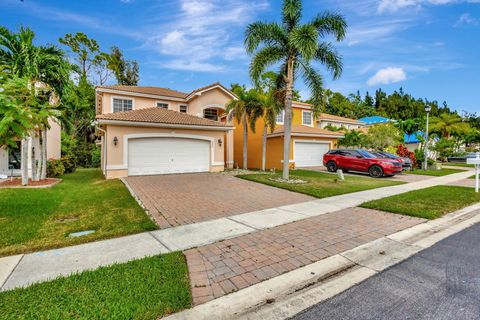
{"x":125,"y":71}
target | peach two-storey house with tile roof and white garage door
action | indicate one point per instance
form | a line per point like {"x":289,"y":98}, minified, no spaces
{"x":152,"y":130}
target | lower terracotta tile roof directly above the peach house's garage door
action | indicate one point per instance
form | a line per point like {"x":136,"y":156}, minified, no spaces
{"x":160,"y":115}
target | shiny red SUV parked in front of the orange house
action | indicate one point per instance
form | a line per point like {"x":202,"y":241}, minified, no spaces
{"x":361,"y":160}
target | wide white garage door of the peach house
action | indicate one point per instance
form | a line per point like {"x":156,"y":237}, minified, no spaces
{"x":148,"y":156}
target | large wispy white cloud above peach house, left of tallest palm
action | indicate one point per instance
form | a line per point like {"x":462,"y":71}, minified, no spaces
{"x":200,"y":36}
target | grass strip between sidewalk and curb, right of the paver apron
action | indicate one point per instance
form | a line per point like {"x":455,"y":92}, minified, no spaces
{"x":429,"y":203}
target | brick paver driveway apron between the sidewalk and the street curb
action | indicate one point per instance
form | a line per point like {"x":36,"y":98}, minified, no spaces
{"x":224,"y":267}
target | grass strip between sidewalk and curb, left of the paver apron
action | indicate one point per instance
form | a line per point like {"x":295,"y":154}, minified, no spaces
{"x":140,"y":289}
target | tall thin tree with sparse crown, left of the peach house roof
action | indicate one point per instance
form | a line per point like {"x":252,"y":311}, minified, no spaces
{"x":85,"y":50}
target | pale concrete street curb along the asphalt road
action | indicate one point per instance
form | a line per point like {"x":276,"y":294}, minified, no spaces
{"x":286,"y":295}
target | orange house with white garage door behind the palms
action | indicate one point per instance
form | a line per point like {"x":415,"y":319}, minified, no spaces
{"x":309,"y":142}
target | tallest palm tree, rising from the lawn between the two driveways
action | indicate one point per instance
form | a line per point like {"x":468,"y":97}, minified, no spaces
{"x":295,"y":46}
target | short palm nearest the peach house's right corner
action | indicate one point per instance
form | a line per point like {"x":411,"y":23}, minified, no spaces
{"x":242,"y":109}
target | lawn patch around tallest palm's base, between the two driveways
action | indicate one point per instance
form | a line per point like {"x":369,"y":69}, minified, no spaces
{"x":320,"y":184}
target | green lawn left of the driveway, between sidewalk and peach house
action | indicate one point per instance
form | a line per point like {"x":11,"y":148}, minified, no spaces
{"x":34,"y":219}
